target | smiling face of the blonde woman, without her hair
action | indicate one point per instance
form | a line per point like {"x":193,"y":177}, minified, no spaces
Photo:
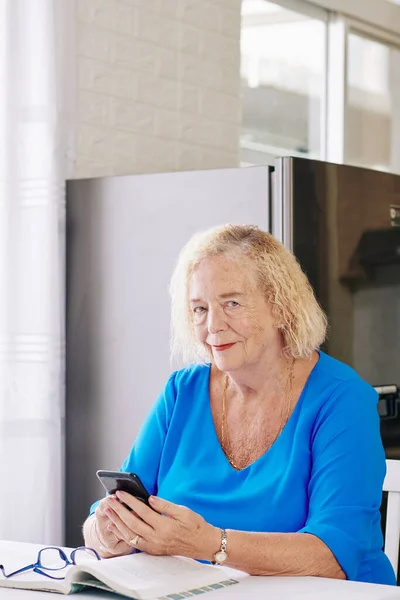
{"x":231,"y":316}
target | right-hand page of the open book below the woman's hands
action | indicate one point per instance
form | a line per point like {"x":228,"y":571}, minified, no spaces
{"x":147,"y":577}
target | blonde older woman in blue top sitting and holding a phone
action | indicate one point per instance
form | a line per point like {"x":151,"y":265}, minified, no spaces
{"x":264,"y":453}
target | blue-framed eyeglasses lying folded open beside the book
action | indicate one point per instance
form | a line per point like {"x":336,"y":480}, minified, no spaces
{"x":52,"y":558}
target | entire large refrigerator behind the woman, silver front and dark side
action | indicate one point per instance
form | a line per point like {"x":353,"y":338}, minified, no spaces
{"x":123,"y":238}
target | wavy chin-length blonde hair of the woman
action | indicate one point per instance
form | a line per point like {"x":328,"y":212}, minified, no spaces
{"x":298,"y":315}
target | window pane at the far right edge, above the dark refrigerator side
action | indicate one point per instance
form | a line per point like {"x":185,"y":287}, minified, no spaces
{"x":373,"y":92}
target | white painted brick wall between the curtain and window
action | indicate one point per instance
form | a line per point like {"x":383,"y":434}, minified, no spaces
{"x":158,"y":85}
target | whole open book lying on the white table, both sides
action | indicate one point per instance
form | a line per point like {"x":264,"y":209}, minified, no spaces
{"x":138,"y":576}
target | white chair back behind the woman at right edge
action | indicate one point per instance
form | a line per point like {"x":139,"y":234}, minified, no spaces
{"x":392,"y":534}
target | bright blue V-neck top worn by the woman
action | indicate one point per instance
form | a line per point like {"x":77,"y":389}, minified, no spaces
{"x":323,"y":475}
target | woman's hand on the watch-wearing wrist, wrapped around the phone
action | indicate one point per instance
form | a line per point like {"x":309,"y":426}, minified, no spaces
{"x":169,"y":529}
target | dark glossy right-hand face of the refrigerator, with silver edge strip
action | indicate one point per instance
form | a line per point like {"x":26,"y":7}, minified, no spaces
{"x":342,"y":223}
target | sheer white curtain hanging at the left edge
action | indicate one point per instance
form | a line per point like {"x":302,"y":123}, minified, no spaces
{"x":37,"y":53}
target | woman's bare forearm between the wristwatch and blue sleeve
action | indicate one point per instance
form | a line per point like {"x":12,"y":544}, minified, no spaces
{"x":296,"y":554}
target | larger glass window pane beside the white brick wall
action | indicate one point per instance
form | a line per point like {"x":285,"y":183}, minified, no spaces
{"x":283,"y":56}
